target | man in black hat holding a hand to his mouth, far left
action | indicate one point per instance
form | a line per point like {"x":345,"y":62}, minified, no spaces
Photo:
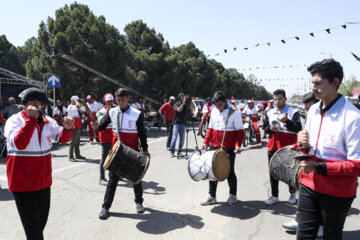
{"x":29,"y":135}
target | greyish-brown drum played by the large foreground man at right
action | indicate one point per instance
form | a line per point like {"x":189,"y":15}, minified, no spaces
{"x":284,"y":166}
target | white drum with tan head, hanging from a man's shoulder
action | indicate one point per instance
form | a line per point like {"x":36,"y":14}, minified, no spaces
{"x":211,"y":165}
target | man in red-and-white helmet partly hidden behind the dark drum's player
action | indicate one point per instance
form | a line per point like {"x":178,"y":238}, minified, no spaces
{"x":106,"y":136}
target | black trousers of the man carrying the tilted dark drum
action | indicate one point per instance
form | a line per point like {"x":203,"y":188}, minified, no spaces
{"x":111,"y":188}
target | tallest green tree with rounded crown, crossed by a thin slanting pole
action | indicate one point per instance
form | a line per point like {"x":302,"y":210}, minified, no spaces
{"x":77,"y":32}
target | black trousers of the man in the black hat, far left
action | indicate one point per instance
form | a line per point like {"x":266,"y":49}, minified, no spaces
{"x":33,"y":208}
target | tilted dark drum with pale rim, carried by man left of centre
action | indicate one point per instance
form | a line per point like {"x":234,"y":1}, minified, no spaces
{"x":126,"y":162}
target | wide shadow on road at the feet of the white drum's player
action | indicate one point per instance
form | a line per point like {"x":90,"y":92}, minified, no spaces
{"x":249,"y":209}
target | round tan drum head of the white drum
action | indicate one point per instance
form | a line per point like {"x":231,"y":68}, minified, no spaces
{"x":221,"y":165}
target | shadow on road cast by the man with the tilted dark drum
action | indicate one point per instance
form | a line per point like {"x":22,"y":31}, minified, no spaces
{"x":160,"y":222}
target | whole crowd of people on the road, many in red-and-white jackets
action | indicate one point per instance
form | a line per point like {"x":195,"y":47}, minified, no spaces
{"x":328,"y":180}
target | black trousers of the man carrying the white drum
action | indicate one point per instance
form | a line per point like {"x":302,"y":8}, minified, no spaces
{"x":232,"y":180}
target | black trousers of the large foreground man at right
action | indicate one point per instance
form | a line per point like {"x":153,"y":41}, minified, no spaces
{"x":316,"y":208}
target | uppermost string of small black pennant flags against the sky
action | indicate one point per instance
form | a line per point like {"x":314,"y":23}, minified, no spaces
{"x":284,"y":40}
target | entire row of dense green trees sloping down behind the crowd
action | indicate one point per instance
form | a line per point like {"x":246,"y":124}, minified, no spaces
{"x":139,"y":58}
